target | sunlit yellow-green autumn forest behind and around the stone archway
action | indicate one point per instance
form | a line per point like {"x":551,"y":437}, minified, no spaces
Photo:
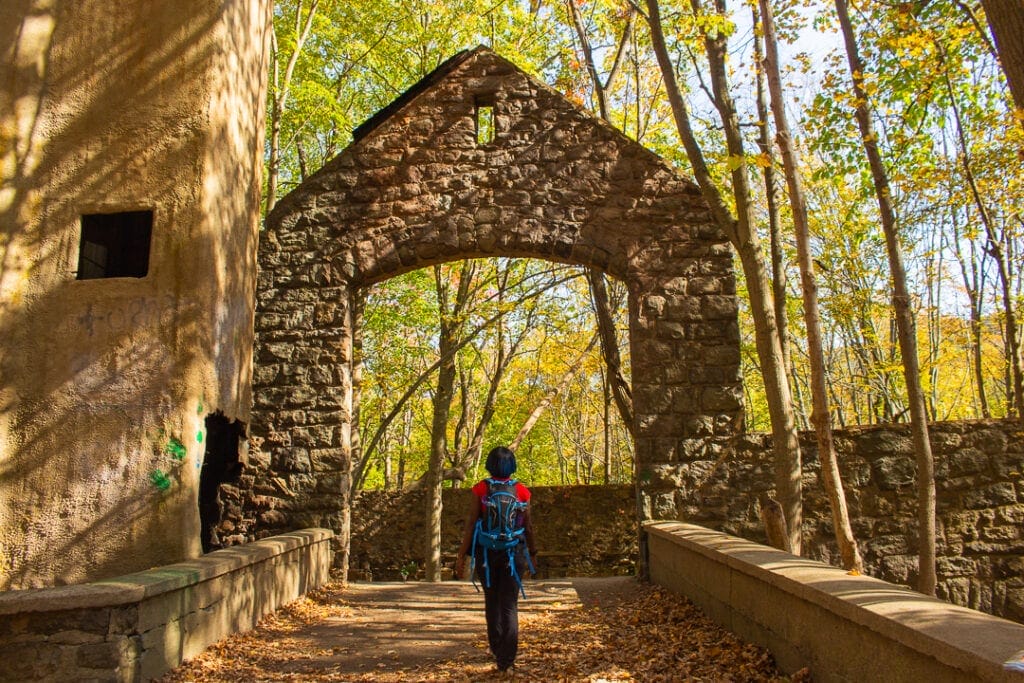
{"x":498,"y":352}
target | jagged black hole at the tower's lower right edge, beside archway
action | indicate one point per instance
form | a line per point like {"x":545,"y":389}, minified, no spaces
{"x":221,"y":465}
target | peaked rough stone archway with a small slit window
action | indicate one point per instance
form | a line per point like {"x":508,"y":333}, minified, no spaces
{"x":418,"y":187}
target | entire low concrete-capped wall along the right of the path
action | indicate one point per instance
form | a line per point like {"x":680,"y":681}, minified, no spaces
{"x":809,"y":614}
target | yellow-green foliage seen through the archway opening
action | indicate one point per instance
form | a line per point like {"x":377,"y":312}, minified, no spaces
{"x":541,"y":309}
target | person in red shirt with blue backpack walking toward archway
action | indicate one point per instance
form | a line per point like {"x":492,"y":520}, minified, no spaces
{"x":500,"y":501}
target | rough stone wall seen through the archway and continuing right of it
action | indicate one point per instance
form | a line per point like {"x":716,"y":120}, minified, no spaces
{"x":980,"y":501}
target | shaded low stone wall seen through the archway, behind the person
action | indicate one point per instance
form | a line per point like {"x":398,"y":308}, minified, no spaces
{"x":581,"y":531}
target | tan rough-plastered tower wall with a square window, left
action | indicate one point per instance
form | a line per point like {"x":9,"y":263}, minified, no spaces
{"x":109,"y":108}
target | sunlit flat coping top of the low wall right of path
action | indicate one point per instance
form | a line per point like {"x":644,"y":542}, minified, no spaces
{"x":973,"y":643}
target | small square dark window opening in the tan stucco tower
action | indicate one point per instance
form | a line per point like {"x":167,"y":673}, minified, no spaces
{"x":115,"y":245}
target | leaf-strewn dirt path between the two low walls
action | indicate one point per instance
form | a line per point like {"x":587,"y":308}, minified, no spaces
{"x":571,"y":630}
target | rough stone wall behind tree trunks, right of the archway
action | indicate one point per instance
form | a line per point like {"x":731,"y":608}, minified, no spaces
{"x":979,"y":467}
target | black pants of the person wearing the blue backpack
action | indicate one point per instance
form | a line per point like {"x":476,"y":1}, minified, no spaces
{"x":501,"y":606}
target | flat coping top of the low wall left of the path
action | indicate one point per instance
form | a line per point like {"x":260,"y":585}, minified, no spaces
{"x":151,"y":583}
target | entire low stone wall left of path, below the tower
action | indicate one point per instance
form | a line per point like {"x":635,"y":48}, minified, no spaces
{"x":138,"y":627}
